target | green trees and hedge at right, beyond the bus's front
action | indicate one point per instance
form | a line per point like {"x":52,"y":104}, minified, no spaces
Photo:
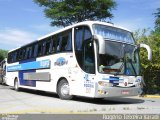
{"x":150,"y":69}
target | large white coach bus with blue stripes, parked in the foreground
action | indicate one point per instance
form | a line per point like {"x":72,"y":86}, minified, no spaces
{"x":92,"y":59}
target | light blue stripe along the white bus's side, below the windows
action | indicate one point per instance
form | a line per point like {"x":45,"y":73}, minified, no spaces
{"x":30,"y":65}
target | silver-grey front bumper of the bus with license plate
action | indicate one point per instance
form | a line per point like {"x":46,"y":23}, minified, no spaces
{"x":117,"y":92}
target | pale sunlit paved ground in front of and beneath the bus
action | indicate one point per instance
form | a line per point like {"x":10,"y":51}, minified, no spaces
{"x":27,"y":101}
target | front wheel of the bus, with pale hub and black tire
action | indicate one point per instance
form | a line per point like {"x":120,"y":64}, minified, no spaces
{"x":63,"y":90}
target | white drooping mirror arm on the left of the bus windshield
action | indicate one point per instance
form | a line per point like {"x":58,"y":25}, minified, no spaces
{"x":101,"y":43}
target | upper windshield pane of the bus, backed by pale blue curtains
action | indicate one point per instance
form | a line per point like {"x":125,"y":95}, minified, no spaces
{"x":113,"y":34}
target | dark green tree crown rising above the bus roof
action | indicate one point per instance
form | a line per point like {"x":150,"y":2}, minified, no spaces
{"x":67,"y":12}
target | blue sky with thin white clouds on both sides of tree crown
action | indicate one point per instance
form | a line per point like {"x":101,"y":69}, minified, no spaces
{"x":23,"y":21}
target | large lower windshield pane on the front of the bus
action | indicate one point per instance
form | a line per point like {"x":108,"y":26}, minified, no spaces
{"x":119,"y":59}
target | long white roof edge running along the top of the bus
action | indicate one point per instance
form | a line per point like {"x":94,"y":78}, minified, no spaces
{"x":89,"y":23}
